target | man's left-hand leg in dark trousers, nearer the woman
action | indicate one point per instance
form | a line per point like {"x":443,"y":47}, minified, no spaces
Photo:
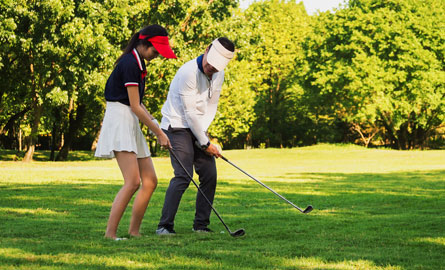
{"x":182,"y":144}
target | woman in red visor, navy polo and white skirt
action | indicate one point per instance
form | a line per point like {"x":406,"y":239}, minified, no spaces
{"x":121,"y":135}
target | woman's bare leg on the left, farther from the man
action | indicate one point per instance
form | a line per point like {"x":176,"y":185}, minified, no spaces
{"x":129,"y":166}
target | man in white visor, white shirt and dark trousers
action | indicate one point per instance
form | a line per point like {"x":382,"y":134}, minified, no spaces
{"x":186,"y":115}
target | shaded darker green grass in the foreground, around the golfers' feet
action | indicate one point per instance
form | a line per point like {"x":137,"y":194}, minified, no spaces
{"x":366,"y":221}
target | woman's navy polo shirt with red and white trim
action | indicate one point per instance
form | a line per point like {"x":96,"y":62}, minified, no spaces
{"x":129,"y":71}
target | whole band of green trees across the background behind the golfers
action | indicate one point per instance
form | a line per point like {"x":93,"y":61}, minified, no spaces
{"x":371,"y":73}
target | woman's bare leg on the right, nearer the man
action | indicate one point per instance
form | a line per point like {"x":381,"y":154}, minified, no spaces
{"x":149,"y":183}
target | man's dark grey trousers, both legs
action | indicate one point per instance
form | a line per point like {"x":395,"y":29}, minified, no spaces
{"x":183,"y":143}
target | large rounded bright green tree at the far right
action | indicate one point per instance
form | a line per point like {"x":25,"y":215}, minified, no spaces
{"x":378,"y":66}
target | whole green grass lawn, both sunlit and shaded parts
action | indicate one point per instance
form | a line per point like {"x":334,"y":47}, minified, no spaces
{"x":374,"y":209}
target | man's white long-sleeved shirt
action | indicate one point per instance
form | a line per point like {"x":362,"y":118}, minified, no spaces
{"x":188,"y":104}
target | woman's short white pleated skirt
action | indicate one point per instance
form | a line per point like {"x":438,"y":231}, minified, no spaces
{"x":121,"y":132}
